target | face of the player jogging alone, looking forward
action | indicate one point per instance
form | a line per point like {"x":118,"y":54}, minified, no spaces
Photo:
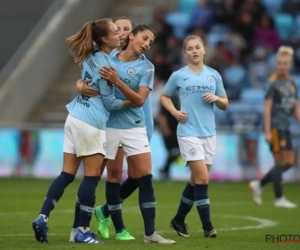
{"x":194,"y":50}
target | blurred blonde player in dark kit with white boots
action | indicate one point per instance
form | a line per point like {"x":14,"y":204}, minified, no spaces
{"x":281,"y":104}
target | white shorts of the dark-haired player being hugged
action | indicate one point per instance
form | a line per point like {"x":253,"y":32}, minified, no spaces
{"x":134,"y":141}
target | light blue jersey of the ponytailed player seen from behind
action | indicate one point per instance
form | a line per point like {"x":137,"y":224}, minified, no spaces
{"x":95,"y":110}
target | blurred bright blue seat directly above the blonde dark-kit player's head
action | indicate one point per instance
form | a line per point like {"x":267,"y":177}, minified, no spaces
{"x":284,"y":25}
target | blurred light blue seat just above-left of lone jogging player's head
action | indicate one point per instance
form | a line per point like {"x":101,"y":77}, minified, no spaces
{"x":180,"y":22}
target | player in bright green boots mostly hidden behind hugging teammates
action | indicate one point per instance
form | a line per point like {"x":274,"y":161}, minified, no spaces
{"x":114,"y":167}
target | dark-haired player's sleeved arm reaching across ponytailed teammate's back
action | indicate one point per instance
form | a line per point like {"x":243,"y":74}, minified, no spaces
{"x":137,"y":98}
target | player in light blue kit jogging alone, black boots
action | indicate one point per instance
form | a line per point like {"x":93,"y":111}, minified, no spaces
{"x":199,"y":87}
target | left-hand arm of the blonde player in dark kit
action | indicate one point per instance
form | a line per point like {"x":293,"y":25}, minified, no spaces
{"x":267,"y":111}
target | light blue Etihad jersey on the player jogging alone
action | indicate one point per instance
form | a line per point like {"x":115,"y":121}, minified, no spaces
{"x":191,"y":87}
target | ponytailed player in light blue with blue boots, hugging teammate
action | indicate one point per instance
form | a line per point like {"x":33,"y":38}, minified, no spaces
{"x":85,"y":135}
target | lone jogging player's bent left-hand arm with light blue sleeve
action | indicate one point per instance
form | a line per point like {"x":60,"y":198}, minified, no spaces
{"x":168,"y":91}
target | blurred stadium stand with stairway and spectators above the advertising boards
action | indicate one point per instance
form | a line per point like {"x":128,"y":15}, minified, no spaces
{"x":41,"y":76}
